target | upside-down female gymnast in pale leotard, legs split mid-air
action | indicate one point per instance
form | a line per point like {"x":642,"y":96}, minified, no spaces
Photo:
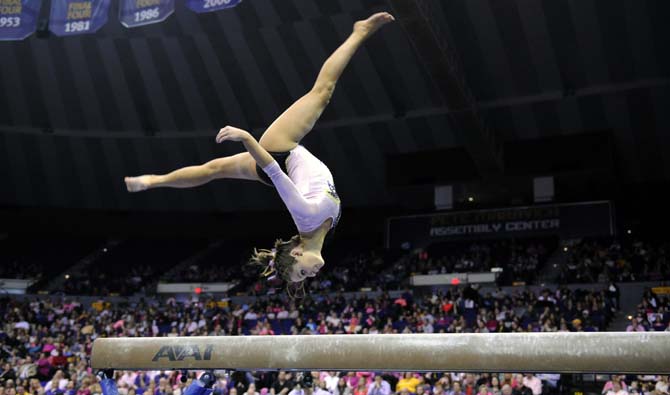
{"x":303,"y":182}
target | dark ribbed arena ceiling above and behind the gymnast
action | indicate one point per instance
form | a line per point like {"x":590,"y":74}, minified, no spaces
{"x":79,"y":113}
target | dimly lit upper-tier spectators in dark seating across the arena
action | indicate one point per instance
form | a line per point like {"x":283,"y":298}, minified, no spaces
{"x":134,"y":266}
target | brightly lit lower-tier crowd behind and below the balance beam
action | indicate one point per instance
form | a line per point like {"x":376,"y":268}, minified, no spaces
{"x":45,"y":343}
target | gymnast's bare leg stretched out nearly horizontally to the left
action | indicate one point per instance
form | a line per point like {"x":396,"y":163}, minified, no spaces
{"x":240,"y":166}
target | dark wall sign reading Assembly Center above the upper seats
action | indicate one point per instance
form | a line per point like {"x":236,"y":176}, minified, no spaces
{"x":564,"y":220}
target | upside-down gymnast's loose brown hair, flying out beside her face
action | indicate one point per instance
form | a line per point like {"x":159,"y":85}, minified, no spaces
{"x":278,"y":263}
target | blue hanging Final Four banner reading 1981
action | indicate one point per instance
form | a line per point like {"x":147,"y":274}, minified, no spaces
{"x":70,"y":17}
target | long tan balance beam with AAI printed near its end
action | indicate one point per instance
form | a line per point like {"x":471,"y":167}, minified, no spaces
{"x":559,"y":352}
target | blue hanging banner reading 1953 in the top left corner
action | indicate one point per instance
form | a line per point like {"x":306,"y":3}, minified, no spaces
{"x":18,"y":18}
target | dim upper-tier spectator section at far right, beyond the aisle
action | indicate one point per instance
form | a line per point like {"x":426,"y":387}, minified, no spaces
{"x":620,"y":260}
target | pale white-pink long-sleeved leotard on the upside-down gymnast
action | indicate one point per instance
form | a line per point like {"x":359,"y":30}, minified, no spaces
{"x":308,"y":191}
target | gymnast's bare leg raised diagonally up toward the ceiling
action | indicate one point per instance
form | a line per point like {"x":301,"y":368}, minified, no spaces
{"x":294,"y":124}
